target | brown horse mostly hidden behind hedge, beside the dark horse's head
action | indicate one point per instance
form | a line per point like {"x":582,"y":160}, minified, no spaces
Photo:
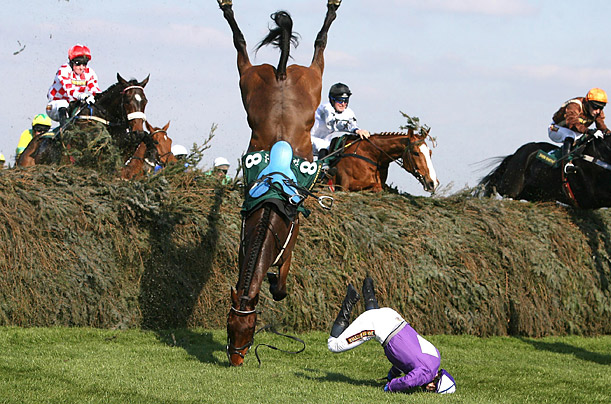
{"x":156,"y":148}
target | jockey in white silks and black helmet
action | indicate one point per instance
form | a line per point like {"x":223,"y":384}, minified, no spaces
{"x":334,"y":119}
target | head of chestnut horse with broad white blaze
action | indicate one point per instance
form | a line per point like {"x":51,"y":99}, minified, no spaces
{"x":417,"y":160}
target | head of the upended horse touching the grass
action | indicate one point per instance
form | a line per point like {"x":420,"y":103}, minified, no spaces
{"x":241,"y":322}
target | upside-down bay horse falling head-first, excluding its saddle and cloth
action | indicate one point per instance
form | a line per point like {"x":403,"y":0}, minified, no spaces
{"x":280,"y":103}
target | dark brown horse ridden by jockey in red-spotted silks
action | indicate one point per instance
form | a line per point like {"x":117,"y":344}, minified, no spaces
{"x":120,"y":108}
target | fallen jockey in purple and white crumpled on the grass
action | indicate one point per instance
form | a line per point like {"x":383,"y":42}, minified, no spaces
{"x":415,"y":361}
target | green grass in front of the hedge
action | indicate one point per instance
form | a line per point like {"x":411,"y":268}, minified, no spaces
{"x":82,"y":365}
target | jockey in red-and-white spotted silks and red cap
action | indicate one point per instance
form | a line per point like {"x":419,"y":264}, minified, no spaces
{"x":73,"y":81}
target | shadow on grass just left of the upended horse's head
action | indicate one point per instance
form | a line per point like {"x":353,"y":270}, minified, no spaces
{"x":201,"y":346}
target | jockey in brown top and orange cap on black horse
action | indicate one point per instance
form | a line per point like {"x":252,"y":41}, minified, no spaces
{"x":574,"y":118}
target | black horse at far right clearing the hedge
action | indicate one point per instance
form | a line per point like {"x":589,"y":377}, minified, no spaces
{"x":523,"y":175}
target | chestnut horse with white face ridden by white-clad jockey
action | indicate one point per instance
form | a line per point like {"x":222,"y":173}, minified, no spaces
{"x":363,"y":164}
